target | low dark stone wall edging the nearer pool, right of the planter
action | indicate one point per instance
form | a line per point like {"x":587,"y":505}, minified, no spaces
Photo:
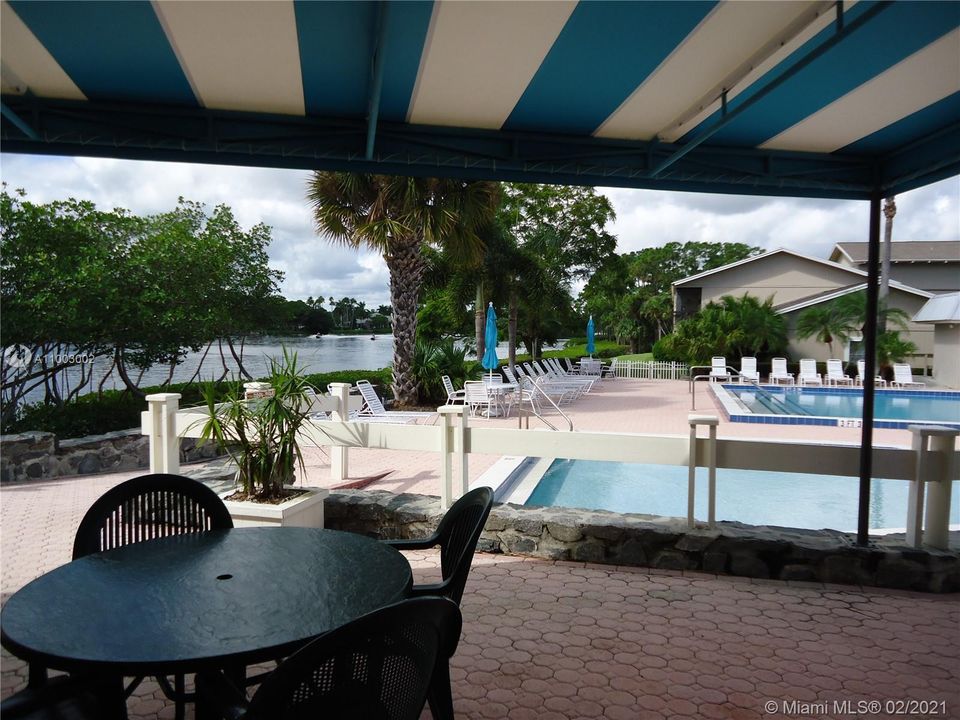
{"x":650,"y":541}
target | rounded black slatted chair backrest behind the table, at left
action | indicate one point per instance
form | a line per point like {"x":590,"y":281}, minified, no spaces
{"x":148,"y":507}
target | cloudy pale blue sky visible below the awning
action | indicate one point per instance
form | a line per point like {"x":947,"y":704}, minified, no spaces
{"x":314,"y":267}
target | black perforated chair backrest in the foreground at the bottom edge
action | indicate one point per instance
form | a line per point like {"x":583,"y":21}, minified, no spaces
{"x":376,"y":667}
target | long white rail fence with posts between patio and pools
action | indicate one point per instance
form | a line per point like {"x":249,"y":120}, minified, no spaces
{"x":931,"y":465}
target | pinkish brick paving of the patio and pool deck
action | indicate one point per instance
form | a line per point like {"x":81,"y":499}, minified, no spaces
{"x":571,"y":640}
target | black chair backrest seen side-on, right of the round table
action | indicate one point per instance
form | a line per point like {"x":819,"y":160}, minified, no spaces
{"x":458,"y":533}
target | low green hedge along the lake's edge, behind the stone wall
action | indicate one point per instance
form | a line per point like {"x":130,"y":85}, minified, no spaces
{"x":119,"y":410}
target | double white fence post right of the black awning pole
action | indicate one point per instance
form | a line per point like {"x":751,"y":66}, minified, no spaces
{"x":934,"y":448}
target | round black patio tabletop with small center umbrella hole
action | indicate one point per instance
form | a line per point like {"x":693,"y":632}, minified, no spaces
{"x":219,"y":599}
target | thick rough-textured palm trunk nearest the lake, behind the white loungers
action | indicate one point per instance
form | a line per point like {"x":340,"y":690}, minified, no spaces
{"x":406,"y":267}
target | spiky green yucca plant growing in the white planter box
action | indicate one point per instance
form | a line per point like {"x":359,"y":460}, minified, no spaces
{"x":261,"y":435}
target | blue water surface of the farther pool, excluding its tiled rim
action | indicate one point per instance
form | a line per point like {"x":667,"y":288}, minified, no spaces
{"x":898,"y":407}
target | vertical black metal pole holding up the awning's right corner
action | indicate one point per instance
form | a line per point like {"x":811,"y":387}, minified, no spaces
{"x":870,"y":369}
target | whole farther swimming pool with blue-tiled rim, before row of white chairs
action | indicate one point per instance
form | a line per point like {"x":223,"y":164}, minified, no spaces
{"x":836,"y":406}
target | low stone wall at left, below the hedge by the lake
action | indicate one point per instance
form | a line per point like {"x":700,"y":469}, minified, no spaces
{"x":36,"y":455}
